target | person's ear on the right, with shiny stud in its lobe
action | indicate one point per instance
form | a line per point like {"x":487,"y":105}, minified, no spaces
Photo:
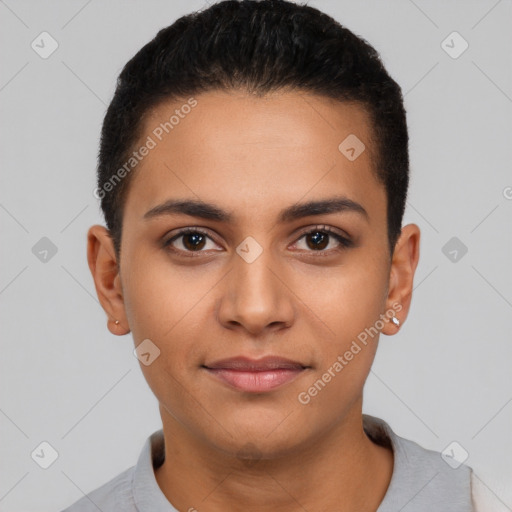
{"x":403,"y":266}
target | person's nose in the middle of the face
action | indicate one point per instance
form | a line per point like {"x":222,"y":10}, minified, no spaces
{"x":256,"y":297}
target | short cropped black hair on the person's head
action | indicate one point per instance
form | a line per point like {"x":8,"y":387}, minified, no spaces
{"x":260,"y":47}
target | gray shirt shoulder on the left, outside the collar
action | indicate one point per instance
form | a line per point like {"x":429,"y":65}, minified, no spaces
{"x":114,"y":495}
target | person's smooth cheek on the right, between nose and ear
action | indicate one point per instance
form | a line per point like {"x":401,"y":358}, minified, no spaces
{"x":348,"y":303}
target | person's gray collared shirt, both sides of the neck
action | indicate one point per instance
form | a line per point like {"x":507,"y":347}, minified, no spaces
{"x":421,"y":481}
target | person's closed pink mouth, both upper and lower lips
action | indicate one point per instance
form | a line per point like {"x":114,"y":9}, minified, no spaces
{"x":255,"y":375}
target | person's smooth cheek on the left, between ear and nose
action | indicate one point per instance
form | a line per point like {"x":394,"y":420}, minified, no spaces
{"x":168,"y":305}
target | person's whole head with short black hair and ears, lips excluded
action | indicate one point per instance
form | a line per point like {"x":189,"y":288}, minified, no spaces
{"x":231,"y":120}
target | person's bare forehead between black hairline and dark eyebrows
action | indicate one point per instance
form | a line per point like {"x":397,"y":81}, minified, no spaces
{"x":242,"y":151}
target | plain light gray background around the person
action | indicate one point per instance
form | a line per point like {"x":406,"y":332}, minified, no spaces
{"x":66,"y":380}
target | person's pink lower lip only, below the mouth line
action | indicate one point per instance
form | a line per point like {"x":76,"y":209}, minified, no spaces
{"x":255,"y":382}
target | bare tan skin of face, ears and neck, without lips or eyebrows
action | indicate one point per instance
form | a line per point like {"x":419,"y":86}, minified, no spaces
{"x":226,"y":449}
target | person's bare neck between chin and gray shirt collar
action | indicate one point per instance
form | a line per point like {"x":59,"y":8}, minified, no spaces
{"x":342,"y":469}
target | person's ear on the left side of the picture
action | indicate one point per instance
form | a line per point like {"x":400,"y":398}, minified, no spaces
{"x":105,"y":272}
